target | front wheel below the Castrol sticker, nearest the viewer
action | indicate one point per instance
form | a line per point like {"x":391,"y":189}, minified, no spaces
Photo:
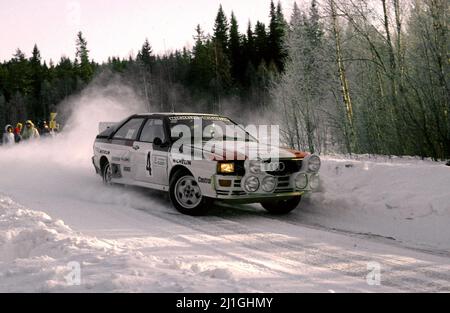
{"x":187,"y":201}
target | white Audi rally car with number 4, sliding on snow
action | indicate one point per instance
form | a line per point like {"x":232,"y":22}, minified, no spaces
{"x":189,"y":156}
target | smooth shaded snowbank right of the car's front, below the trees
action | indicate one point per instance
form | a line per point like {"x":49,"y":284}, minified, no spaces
{"x":405,"y":199}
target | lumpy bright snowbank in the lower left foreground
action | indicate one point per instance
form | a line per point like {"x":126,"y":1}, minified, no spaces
{"x":39,"y":254}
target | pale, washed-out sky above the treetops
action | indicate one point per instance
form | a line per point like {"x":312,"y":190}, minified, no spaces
{"x":116,"y":27}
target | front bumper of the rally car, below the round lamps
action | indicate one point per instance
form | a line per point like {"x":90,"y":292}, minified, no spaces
{"x":285,"y":188}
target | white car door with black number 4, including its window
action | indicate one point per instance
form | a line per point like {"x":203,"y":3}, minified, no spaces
{"x":151,"y":161}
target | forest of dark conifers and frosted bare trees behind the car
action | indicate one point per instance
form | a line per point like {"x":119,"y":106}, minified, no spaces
{"x":338,"y":76}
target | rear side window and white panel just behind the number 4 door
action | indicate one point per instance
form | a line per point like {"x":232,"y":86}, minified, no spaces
{"x":121,"y":149}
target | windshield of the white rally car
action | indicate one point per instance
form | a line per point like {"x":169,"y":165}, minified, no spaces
{"x":207,"y":127}
